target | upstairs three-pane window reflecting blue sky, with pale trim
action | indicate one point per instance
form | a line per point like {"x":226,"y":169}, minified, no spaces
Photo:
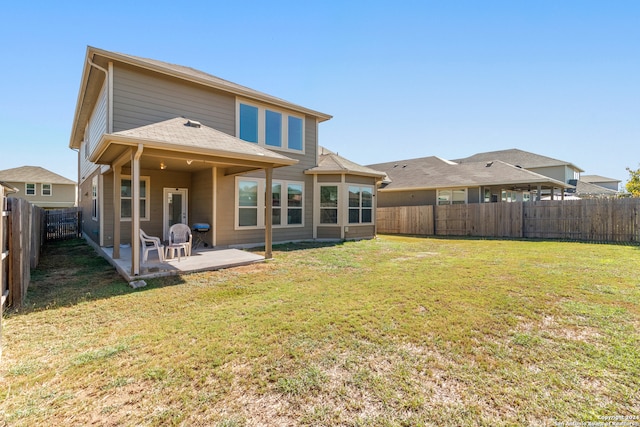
{"x":270,"y":127}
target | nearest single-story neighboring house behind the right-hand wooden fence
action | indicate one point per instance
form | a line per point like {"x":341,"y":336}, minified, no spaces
{"x":435,"y":181}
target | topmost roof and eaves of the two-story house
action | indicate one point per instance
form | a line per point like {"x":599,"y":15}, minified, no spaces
{"x":103,"y":57}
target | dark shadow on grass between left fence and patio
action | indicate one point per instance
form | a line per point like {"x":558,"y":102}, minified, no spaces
{"x":71,"y":272}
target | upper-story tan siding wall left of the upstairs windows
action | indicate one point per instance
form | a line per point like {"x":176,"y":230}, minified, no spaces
{"x":142,"y":98}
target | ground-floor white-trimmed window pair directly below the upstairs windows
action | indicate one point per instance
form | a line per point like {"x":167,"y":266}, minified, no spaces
{"x":287,"y":203}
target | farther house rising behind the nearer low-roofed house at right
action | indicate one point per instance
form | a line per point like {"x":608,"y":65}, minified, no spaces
{"x":558,"y":170}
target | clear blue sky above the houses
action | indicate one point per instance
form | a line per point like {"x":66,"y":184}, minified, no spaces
{"x":402,"y":79}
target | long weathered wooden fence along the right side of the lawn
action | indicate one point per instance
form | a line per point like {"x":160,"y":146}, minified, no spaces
{"x":610,"y":220}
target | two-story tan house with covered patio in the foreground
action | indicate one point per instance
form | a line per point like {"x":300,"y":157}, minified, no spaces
{"x":160,"y":143}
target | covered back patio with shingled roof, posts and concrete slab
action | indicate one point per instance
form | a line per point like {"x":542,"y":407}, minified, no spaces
{"x":188,"y":149}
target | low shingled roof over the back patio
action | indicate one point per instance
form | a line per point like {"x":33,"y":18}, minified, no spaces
{"x":177,"y":135}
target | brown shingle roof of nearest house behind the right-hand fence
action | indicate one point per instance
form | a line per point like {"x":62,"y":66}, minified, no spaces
{"x":434,"y":172}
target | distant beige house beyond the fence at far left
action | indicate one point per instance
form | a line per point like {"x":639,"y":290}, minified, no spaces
{"x":41,"y":187}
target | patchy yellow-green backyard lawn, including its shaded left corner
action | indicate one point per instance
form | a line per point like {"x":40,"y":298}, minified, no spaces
{"x":396,"y":331}
